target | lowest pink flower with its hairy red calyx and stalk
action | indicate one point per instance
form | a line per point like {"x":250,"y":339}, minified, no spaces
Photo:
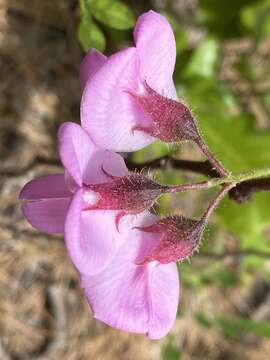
{"x":139,"y":290}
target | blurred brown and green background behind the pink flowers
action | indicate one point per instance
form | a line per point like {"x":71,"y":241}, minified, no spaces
{"x":223,"y":73}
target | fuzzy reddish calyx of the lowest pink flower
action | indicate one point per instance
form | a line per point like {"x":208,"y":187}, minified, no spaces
{"x":179,"y":239}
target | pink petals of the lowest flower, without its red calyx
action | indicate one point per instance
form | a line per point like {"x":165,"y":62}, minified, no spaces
{"x":135,"y":298}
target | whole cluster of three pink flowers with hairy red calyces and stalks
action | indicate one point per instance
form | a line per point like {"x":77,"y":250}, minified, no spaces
{"x":126,"y":256}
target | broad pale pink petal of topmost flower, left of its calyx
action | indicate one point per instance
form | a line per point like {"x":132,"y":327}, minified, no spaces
{"x":108,"y":112}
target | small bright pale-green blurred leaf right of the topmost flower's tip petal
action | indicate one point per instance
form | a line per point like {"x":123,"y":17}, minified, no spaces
{"x":204,"y":59}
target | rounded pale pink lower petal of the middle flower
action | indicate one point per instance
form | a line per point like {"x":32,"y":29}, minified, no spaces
{"x":91,"y":237}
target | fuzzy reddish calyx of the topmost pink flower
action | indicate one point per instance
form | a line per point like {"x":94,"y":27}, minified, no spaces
{"x":172,"y":120}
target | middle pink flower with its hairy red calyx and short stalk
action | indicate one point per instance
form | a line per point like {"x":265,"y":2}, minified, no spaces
{"x":89,"y":200}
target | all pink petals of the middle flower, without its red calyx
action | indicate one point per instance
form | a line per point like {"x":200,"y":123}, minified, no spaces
{"x":57,"y":203}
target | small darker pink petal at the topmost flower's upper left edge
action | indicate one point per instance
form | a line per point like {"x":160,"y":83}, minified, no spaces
{"x":91,"y":63}
